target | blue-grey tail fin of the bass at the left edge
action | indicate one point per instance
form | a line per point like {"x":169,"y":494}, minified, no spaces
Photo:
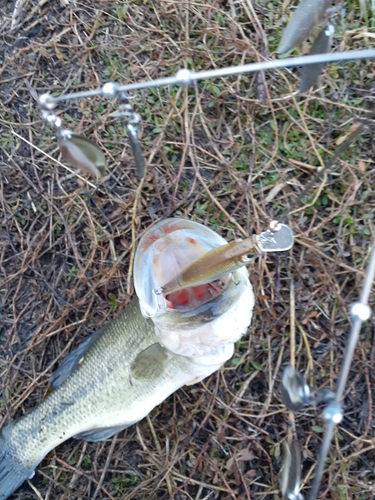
{"x":12,"y":472}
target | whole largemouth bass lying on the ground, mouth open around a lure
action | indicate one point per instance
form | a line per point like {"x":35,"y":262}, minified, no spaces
{"x":118,"y":375}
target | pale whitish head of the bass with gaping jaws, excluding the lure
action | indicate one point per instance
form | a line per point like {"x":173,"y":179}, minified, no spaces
{"x":202,"y":321}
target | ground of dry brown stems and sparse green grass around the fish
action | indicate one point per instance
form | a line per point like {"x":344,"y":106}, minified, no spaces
{"x":232,"y":153}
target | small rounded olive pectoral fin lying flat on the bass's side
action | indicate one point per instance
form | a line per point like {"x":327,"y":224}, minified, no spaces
{"x":149,"y":363}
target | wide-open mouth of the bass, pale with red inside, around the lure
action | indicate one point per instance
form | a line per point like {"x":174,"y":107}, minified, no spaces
{"x":164,"y":250}
